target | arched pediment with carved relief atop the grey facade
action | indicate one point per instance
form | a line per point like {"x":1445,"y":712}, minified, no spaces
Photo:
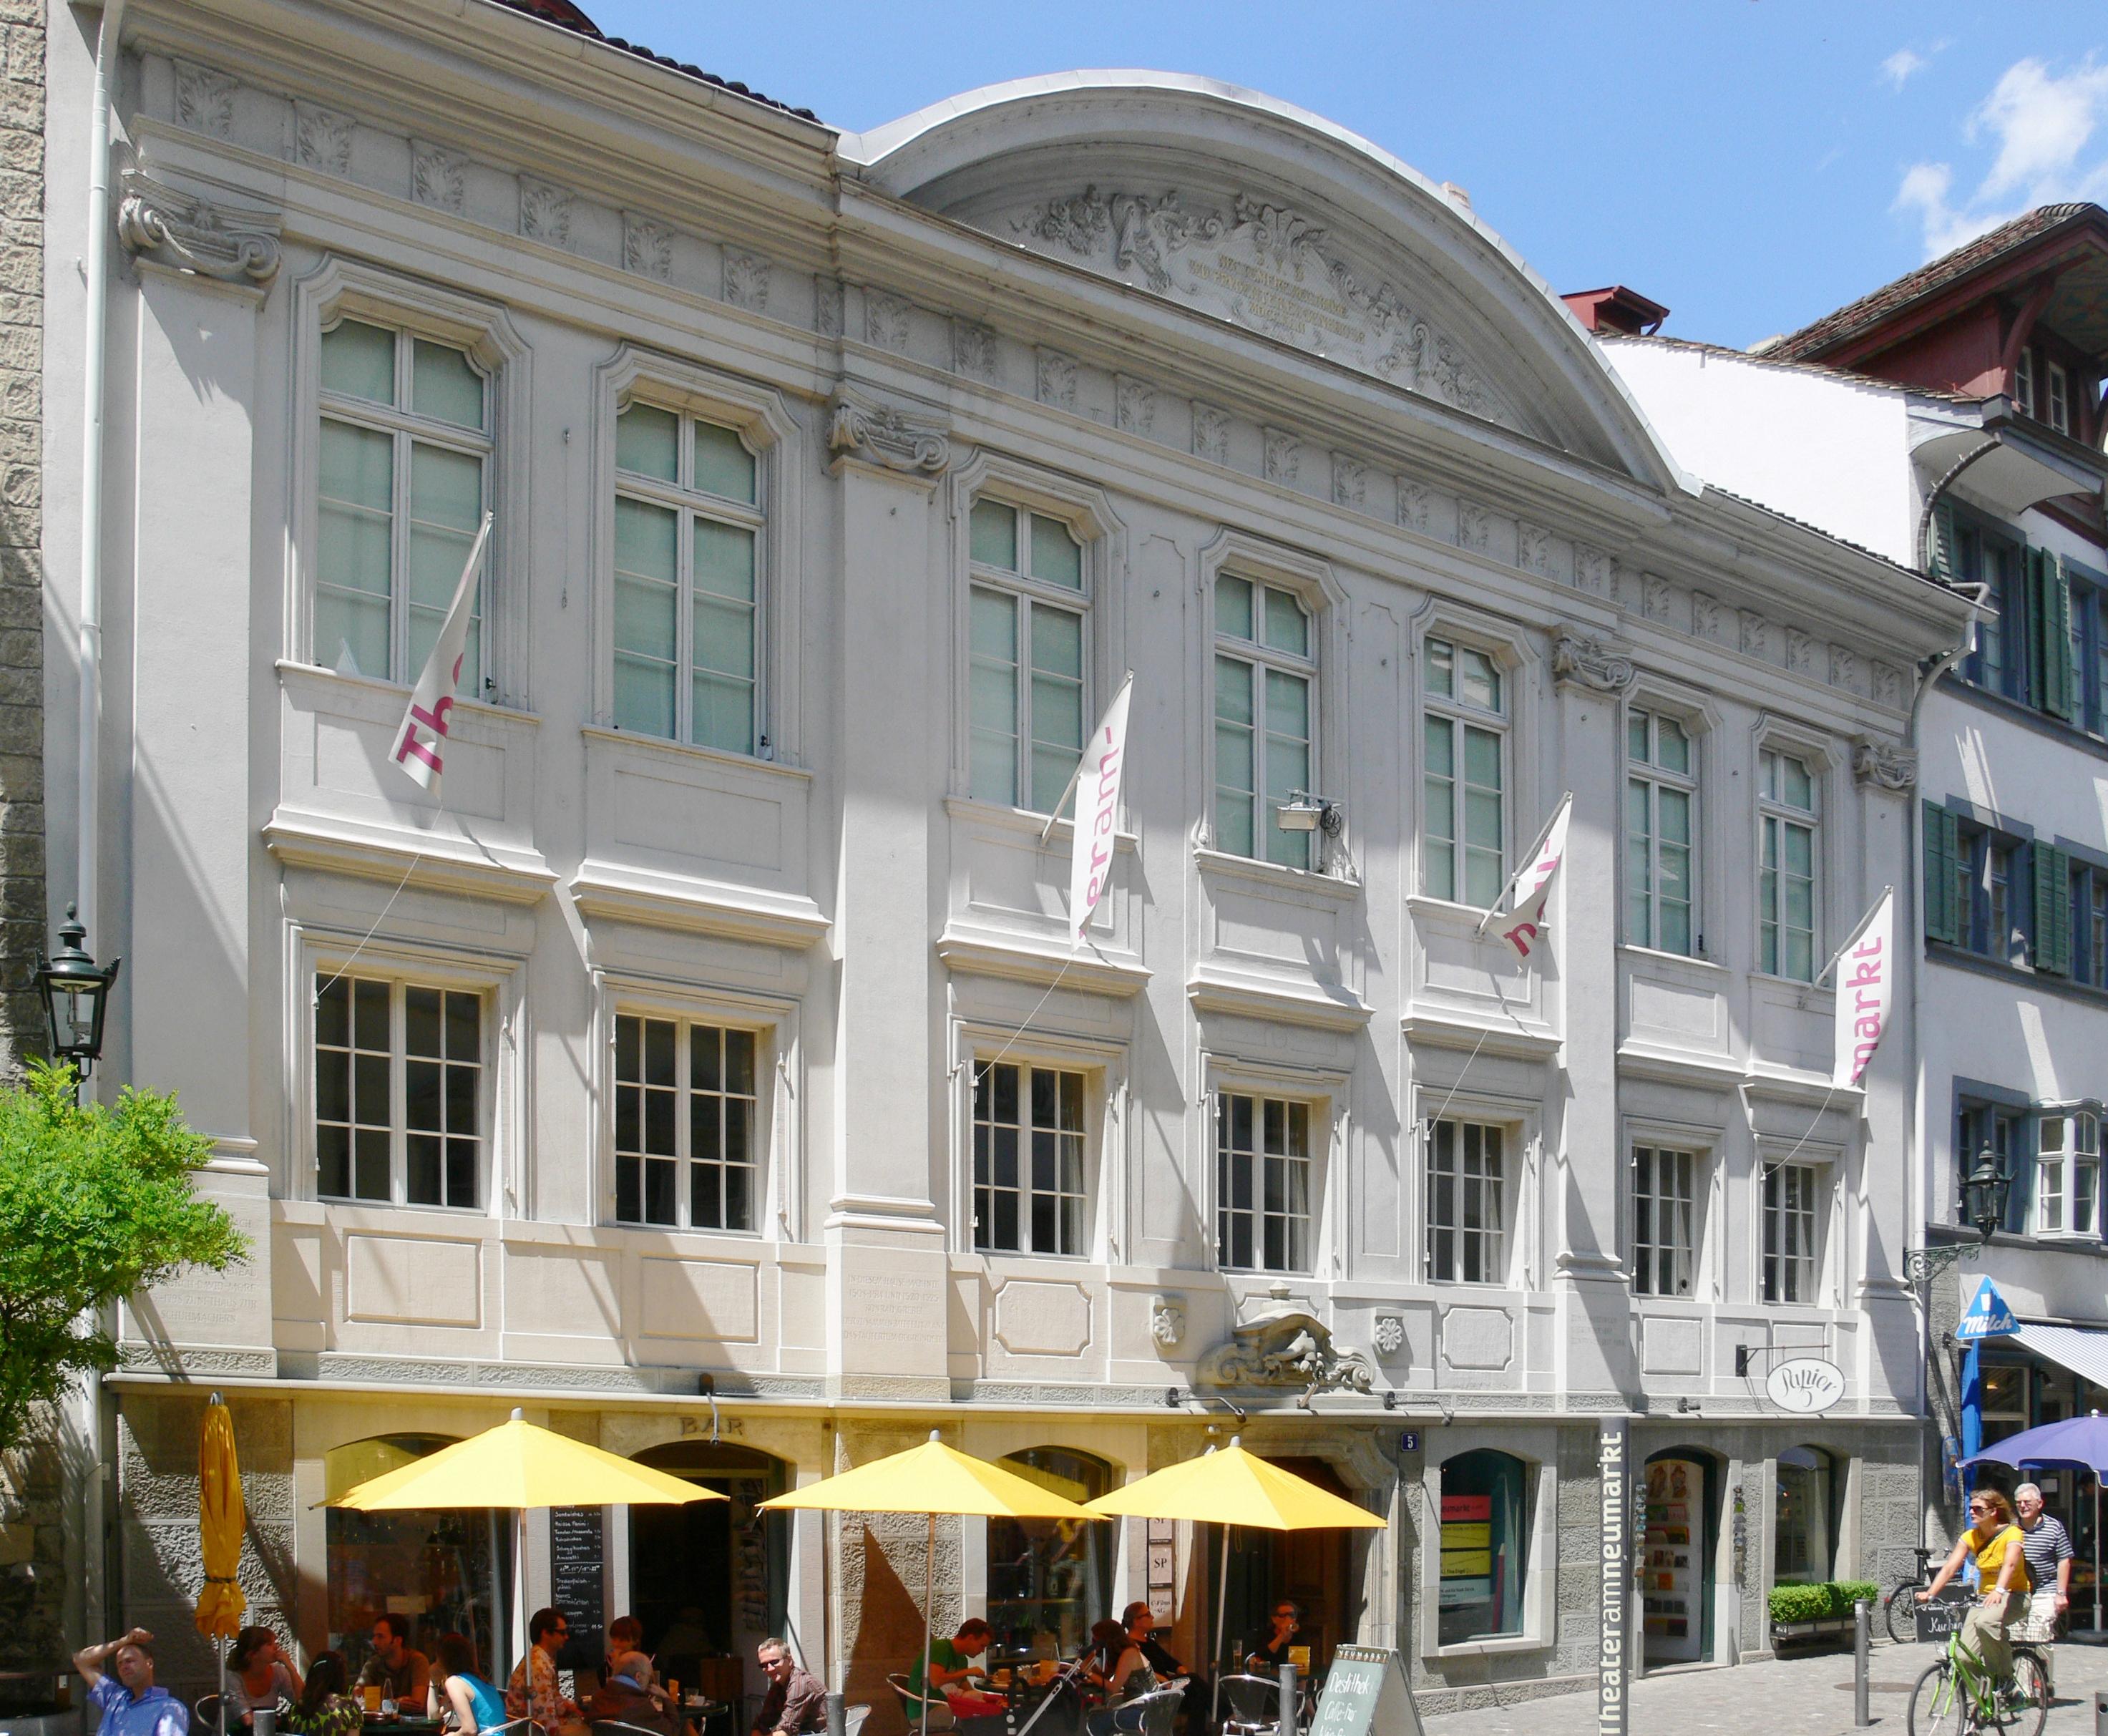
{"x":1274,"y":220}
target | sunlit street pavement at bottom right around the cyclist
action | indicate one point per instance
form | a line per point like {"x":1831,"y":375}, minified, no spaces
{"x":1806,"y":1697}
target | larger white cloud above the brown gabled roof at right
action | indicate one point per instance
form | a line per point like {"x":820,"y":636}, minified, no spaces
{"x":2039,"y":126}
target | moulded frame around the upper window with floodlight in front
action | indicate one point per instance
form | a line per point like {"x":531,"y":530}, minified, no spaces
{"x":1323,"y":598}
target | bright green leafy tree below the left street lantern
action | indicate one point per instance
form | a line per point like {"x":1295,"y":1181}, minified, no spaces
{"x":96,"y":1203}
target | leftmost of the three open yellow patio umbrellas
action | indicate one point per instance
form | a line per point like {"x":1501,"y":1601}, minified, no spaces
{"x":520,"y":1465}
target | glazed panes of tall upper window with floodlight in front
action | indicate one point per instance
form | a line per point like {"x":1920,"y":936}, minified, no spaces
{"x":1266,"y":678}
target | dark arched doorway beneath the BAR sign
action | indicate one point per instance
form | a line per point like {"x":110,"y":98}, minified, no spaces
{"x":711,"y":1581}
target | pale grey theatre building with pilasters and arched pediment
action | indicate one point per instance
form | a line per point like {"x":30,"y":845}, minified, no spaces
{"x":707,"y":1070}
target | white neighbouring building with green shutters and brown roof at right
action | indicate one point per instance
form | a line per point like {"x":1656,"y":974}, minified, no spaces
{"x":1953,"y":421}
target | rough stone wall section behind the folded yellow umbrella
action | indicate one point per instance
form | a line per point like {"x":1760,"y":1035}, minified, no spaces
{"x":163,"y":1568}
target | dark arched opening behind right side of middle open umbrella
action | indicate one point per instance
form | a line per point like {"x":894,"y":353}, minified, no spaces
{"x":1051,"y":1579}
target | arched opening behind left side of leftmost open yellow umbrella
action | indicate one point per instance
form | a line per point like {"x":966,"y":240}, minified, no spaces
{"x":442,"y":1570}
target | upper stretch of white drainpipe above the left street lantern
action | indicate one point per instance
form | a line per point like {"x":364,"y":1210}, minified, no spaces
{"x":96,"y":347}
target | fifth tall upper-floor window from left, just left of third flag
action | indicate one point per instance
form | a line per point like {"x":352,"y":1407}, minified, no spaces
{"x":1464,"y":735}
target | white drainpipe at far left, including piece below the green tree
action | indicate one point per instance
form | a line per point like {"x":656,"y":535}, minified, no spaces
{"x":98,"y":1505}
